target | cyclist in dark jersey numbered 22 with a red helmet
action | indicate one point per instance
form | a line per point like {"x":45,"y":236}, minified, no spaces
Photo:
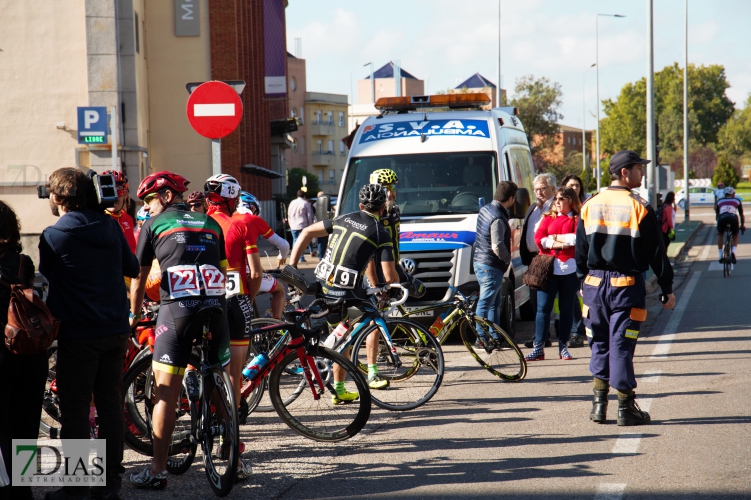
{"x":186,"y":245}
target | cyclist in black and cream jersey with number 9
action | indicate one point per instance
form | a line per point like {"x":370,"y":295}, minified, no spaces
{"x":355,"y":239}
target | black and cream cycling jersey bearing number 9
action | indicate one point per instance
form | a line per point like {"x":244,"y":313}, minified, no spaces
{"x":355,"y":239}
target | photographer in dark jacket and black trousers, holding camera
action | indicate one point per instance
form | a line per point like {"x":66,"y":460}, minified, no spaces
{"x":84,"y":257}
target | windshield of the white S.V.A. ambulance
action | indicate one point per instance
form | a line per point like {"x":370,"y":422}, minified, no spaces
{"x":430,"y":183}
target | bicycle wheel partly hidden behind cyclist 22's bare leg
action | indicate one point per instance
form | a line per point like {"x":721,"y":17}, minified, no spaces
{"x":138,"y":404}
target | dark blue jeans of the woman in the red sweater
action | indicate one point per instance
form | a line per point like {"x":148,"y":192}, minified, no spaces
{"x":565,"y":286}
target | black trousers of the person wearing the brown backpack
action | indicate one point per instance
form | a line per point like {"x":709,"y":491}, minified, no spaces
{"x":22,"y":380}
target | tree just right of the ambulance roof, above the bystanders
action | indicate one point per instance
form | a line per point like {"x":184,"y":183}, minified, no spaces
{"x":538,"y":101}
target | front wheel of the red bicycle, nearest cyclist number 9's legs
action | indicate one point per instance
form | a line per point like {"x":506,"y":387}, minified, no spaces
{"x":319,"y":417}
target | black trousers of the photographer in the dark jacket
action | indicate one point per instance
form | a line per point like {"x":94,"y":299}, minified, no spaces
{"x":93,"y":366}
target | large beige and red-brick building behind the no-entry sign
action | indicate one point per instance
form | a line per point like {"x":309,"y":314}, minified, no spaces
{"x":136,"y":57}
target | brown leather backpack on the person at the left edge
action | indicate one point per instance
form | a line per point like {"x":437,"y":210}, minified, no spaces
{"x":31,"y":328}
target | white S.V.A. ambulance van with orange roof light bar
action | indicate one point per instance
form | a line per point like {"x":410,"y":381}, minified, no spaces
{"x":449,"y":163}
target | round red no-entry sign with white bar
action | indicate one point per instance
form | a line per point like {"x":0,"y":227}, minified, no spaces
{"x":214,"y":109}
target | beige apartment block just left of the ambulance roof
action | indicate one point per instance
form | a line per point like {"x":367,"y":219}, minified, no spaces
{"x":326,"y":118}
